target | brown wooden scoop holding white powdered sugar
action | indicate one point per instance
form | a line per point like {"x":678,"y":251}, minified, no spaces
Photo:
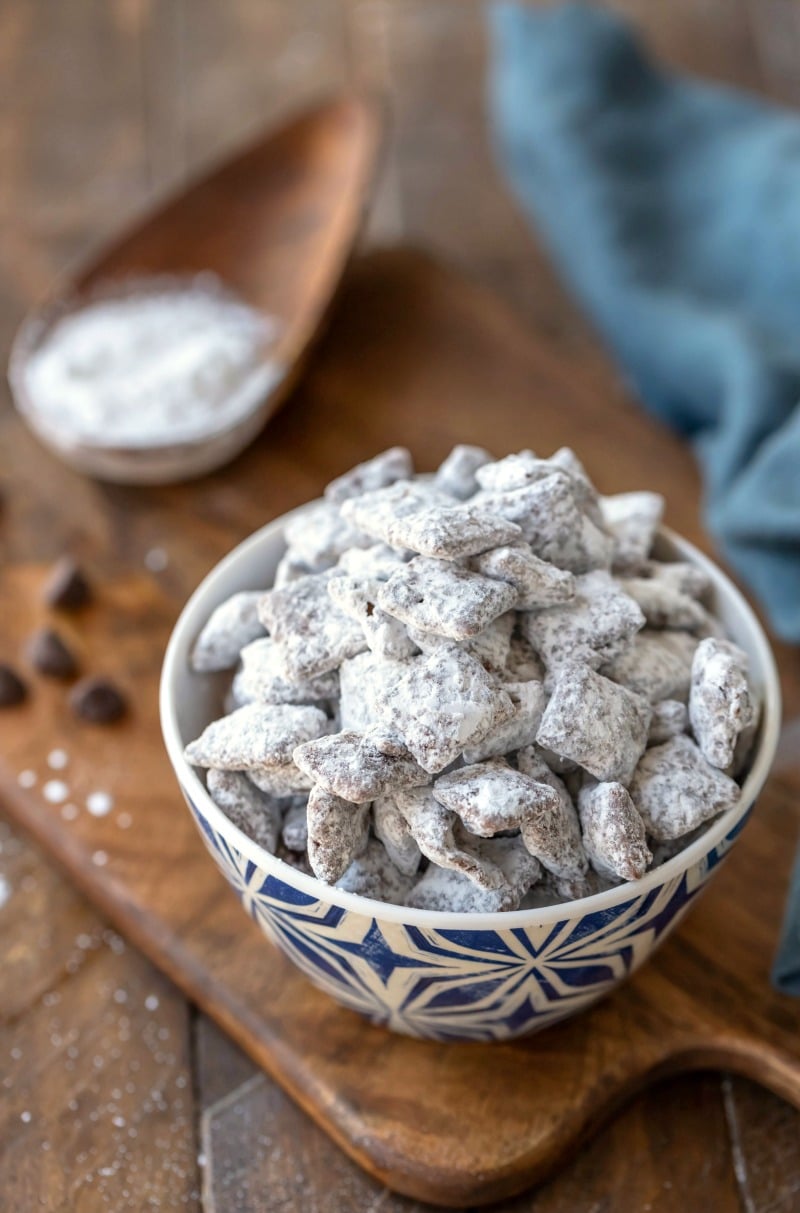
{"x":277,"y":225}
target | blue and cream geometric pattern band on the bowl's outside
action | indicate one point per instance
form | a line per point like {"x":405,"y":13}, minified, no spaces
{"x":460,"y":984}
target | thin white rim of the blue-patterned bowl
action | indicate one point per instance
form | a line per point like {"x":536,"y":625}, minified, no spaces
{"x":195,"y":614}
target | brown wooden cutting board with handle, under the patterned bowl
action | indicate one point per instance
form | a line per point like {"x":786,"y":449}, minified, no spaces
{"x":414,"y":355}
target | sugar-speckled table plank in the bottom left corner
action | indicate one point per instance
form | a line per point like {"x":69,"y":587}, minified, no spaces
{"x":98,"y":1109}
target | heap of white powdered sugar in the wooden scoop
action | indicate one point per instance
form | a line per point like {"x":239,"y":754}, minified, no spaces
{"x":156,"y":362}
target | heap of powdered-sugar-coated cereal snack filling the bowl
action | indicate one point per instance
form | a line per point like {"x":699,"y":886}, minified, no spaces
{"x":476,"y":692}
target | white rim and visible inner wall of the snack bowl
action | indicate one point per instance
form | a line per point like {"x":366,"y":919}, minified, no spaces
{"x":190,"y":702}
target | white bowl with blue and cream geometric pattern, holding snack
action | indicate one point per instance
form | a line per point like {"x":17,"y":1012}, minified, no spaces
{"x":428,"y":973}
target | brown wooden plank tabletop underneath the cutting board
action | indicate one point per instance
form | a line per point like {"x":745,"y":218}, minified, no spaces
{"x":132,"y":1098}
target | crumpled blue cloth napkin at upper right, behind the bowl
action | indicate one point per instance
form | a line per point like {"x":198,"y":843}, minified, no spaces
{"x":672,"y":208}
